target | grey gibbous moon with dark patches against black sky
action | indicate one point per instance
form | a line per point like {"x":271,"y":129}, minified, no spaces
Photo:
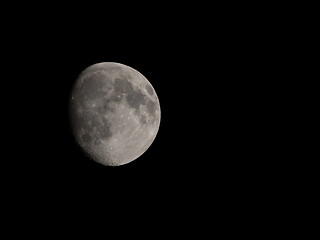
{"x":114,"y":113}
